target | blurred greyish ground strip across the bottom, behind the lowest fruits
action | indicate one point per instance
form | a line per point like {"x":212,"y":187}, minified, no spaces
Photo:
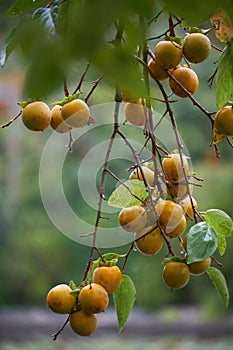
{"x":19,"y":325}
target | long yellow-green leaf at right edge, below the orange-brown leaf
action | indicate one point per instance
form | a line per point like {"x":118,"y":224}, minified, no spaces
{"x":224,"y":78}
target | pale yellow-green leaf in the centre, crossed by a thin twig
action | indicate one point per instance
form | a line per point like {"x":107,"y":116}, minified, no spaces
{"x":122,"y":198}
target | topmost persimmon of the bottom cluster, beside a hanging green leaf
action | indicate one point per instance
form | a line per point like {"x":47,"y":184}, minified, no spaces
{"x":108,"y":277}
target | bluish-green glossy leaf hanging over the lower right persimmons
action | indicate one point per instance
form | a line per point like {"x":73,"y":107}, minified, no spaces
{"x":202,"y":242}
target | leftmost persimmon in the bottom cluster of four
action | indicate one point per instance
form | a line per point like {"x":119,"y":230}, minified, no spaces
{"x":60,"y":300}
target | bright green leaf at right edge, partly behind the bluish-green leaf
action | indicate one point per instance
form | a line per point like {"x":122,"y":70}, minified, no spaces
{"x":222,"y":224}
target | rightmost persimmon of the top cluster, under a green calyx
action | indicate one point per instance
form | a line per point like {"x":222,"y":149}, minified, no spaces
{"x":196,"y":47}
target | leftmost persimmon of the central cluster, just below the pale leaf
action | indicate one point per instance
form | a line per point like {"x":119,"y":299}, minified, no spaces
{"x":133,"y":219}
